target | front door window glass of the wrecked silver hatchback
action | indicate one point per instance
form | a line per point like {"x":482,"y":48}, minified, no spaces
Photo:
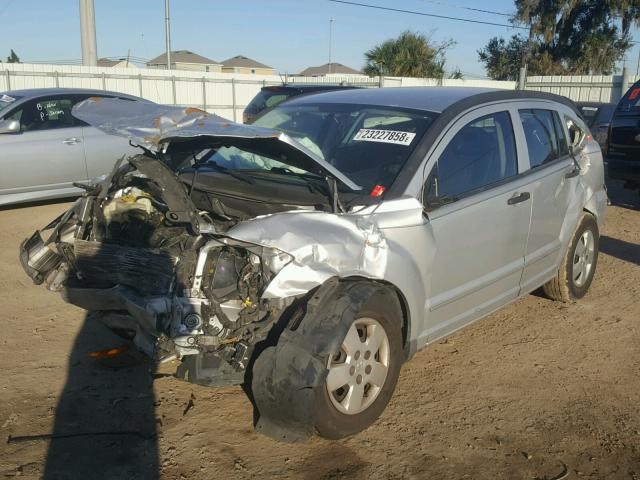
{"x":482,"y":153}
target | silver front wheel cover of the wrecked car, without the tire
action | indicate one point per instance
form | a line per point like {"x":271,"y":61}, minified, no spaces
{"x":358,"y":371}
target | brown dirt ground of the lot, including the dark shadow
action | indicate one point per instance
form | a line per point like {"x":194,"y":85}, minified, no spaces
{"x":539,"y":390}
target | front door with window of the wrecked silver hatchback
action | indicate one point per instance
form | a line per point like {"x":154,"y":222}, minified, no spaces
{"x":479,"y":211}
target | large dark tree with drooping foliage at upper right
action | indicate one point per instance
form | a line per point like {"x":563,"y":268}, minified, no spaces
{"x":566,"y":37}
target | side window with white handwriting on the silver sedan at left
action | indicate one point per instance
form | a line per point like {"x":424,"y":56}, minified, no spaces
{"x":45,"y":114}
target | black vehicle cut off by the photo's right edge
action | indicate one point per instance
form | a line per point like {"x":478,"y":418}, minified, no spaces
{"x":623,"y":144}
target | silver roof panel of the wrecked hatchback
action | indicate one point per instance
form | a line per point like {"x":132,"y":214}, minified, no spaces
{"x":433,"y":99}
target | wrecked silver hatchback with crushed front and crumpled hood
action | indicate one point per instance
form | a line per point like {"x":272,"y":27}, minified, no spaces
{"x":308,"y":255}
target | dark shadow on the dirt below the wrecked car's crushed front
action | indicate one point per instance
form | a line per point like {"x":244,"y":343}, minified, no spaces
{"x":105,"y":424}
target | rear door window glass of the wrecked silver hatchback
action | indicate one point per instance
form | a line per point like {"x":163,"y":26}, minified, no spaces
{"x":545,"y":137}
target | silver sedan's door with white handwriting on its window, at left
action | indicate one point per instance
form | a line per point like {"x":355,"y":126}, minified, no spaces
{"x":48,"y":152}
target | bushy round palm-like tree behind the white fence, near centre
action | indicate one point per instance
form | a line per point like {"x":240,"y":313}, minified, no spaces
{"x":409,"y":55}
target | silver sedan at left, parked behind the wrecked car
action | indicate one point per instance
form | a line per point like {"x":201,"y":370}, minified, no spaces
{"x":44,"y":149}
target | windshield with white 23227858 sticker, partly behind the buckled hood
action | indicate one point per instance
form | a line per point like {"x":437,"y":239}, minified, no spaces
{"x":369,"y":144}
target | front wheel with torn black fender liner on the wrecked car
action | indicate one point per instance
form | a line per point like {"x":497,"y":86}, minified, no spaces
{"x":334,"y":368}
